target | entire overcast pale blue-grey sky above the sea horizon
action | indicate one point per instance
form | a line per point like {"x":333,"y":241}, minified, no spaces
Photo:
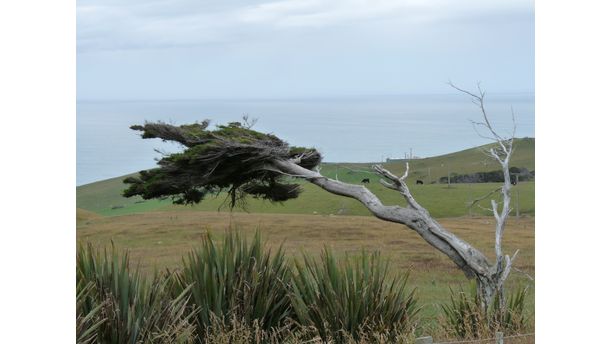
{"x":187,"y":49}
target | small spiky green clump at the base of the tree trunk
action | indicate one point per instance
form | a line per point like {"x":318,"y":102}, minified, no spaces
{"x":465,"y":318}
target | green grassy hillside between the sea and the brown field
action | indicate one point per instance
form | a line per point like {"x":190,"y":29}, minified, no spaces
{"x":442,"y":201}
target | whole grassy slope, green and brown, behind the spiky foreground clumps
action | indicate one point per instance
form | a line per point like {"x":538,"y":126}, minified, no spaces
{"x":158,"y":233}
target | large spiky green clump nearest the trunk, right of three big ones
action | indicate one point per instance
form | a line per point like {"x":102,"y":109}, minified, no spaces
{"x":351,"y":298}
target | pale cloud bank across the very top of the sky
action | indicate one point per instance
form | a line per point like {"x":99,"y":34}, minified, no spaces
{"x":118,"y":25}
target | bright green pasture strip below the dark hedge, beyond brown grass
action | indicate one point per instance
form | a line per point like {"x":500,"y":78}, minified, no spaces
{"x":441,"y":200}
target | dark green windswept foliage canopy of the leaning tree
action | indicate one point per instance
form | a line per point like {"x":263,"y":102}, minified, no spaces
{"x":232,"y":158}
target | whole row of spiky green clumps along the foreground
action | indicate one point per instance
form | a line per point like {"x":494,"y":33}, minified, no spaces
{"x":238,"y":291}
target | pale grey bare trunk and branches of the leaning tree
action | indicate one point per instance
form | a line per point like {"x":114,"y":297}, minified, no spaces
{"x":474,"y":264}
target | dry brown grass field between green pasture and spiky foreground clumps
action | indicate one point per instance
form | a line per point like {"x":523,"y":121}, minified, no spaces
{"x":160,"y":239}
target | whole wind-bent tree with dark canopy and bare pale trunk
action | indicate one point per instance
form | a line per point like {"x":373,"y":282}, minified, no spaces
{"x":236,"y":159}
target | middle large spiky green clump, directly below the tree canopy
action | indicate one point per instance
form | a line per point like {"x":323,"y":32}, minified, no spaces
{"x":236,"y":281}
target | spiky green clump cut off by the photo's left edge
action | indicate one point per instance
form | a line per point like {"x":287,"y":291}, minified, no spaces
{"x":116,"y":305}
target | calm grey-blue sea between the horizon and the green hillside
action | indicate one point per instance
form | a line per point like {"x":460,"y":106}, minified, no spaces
{"x":350,"y":129}
